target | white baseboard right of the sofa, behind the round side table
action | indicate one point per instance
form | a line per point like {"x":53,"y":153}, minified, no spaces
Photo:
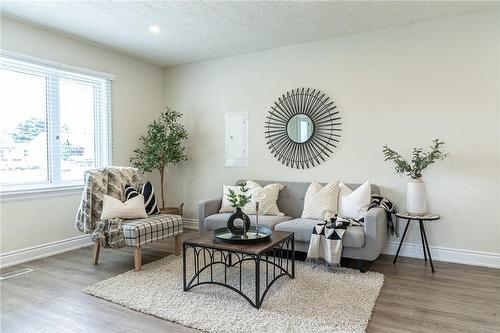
{"x":467,"y":257}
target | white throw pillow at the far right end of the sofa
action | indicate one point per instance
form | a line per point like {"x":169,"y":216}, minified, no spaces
{"x":354,"y":204}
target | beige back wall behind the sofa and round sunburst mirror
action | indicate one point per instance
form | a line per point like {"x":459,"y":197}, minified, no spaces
{"x":402,"y":87}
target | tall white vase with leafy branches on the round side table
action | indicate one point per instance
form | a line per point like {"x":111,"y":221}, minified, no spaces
{"x":416,"y":202}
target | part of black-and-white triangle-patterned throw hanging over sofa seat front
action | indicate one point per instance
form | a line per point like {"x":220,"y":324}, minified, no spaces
{"x":326,"y":240}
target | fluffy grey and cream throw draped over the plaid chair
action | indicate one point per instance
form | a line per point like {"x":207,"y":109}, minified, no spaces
{"x":110,"y":181}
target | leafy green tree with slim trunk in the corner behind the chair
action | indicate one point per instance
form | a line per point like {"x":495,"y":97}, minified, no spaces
{"x":161,"y":145}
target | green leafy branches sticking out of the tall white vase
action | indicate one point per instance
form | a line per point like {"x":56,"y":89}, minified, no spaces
{"x":420,"y":159}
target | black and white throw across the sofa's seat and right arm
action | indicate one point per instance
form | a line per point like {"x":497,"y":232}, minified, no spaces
{"x":326,"y":238}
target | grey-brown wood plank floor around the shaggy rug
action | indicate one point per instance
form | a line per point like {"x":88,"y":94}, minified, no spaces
{"x":458,"y":298}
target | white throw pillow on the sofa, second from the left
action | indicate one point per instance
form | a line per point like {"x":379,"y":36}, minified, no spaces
{"x":266,"y":196}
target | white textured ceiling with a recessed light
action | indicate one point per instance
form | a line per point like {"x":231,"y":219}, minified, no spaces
{"x":196,"y":31}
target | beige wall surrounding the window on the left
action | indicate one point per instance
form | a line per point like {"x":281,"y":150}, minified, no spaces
{"x":138,"y":97}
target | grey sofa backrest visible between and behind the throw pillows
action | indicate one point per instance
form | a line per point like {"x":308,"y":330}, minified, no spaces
{"x":291,"y":198}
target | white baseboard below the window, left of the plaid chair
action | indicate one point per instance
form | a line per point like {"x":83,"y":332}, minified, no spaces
{"x":42,"y":251}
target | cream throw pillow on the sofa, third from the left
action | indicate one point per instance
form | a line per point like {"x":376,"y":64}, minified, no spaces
{"x":321,"y":202}
